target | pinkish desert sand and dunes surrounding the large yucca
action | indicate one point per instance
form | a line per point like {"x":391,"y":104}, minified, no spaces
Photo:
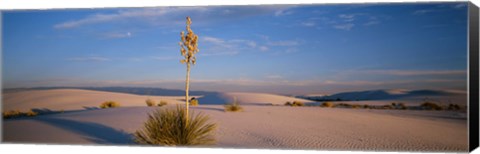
{"x":260,"y":125}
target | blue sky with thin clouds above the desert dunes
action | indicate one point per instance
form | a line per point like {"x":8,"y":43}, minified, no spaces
{"x":288,"y":49}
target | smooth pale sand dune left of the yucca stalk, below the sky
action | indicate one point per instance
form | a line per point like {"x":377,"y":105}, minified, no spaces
{"x":74,"y":99}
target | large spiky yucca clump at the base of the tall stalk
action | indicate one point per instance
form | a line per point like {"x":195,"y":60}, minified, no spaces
{"x":169,"y":127}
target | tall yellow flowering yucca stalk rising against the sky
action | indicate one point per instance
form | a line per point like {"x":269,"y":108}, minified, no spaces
{"x":189,"y":48}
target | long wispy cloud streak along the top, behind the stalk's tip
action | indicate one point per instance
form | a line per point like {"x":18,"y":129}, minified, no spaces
{"x":168,"y":16}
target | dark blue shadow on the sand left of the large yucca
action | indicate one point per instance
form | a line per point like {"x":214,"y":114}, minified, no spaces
{"x":94,"y":132}
